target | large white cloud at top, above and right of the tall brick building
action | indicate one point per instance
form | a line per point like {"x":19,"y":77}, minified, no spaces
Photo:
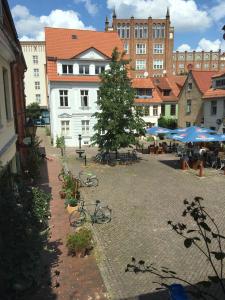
{"x":185,"y":14}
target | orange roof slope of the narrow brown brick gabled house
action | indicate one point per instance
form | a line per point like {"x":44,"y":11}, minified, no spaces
{"x":203,"y":79}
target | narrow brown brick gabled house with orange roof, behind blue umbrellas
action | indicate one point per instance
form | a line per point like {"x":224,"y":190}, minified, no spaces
{"x":190,"y":104}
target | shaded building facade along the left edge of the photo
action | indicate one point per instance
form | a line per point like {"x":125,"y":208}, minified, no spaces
{"x":12,"y":101}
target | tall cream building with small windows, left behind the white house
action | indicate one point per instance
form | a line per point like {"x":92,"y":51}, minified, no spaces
{"x":35,"y":77}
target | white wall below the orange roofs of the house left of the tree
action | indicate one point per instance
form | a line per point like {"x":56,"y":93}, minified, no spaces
{"x":73,"y":113}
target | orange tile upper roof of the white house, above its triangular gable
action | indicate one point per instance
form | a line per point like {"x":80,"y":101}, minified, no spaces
{"x":60,"y":44}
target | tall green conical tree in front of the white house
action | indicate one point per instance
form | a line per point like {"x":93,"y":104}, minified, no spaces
{"x":117,"y":122}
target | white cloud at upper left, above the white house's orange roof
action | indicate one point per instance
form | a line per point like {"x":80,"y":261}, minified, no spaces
{"x":30,"y":27}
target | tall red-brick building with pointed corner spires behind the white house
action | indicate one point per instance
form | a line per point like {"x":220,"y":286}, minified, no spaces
{"x":148,"y":43}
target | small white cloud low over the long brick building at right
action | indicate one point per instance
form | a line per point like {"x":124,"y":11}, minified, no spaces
{"x":205,"y":45}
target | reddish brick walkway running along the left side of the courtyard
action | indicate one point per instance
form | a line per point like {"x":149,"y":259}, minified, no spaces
{"x":79,"y":278}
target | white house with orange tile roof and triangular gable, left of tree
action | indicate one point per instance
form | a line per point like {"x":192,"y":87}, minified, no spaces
{"x":74,"y":63}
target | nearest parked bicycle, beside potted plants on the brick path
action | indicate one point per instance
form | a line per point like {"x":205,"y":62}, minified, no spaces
{"x":101,"y":214}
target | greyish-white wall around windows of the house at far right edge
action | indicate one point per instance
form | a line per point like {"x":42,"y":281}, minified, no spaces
{"x":211,"y":120}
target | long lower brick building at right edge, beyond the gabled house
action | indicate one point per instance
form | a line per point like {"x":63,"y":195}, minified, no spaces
{"x":199,"y":61}
